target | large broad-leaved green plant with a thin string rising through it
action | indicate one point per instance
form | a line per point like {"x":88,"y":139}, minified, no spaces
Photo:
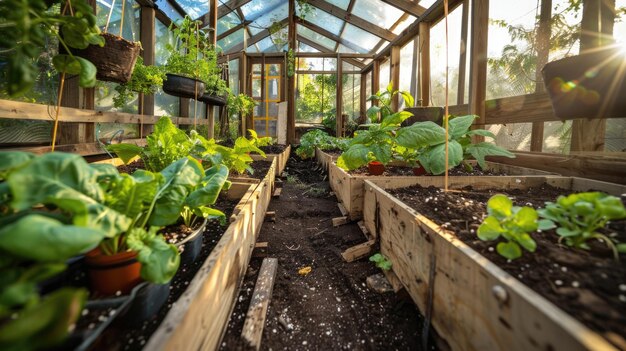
{"x":430,"y":141}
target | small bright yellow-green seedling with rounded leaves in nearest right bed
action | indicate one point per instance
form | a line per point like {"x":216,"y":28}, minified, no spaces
{"x":512,"y":223}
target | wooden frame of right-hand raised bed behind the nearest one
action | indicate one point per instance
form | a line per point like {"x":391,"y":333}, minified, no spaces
{"x":349,"y":187}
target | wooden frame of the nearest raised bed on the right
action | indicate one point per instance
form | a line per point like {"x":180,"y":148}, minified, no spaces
{"x":476,"y":305}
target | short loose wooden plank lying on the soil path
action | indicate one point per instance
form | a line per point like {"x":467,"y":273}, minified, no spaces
{"x":255,"y":318}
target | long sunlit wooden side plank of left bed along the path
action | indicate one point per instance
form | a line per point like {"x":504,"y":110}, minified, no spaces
{"x":200,"y":317}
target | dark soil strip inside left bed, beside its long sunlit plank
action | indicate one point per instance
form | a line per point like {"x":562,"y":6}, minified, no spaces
{"x":122,"y":337}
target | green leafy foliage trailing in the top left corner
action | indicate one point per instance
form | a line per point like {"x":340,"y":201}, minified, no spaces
{"x":26,"y":27}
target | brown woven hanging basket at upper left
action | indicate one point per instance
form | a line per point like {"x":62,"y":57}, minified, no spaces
{"x":115,"y":60}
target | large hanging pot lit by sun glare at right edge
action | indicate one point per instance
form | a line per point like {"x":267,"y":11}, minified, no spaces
{"x":590,"y":85}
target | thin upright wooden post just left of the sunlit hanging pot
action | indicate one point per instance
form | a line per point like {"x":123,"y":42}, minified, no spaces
{"x":543,"y":51}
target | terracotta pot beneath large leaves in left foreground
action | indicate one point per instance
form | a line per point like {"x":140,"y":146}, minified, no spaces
{"x":110,"y":274}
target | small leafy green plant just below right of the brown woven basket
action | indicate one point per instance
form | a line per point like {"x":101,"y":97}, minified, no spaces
{"x":145,"y":79}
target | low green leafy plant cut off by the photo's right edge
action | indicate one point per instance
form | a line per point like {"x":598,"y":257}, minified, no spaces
{"x":580,"y":216}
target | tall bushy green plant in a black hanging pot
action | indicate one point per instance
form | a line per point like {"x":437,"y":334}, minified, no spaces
{"x":185,"y":65}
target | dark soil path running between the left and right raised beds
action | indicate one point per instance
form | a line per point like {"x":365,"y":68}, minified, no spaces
{"x":331,"y":308}
